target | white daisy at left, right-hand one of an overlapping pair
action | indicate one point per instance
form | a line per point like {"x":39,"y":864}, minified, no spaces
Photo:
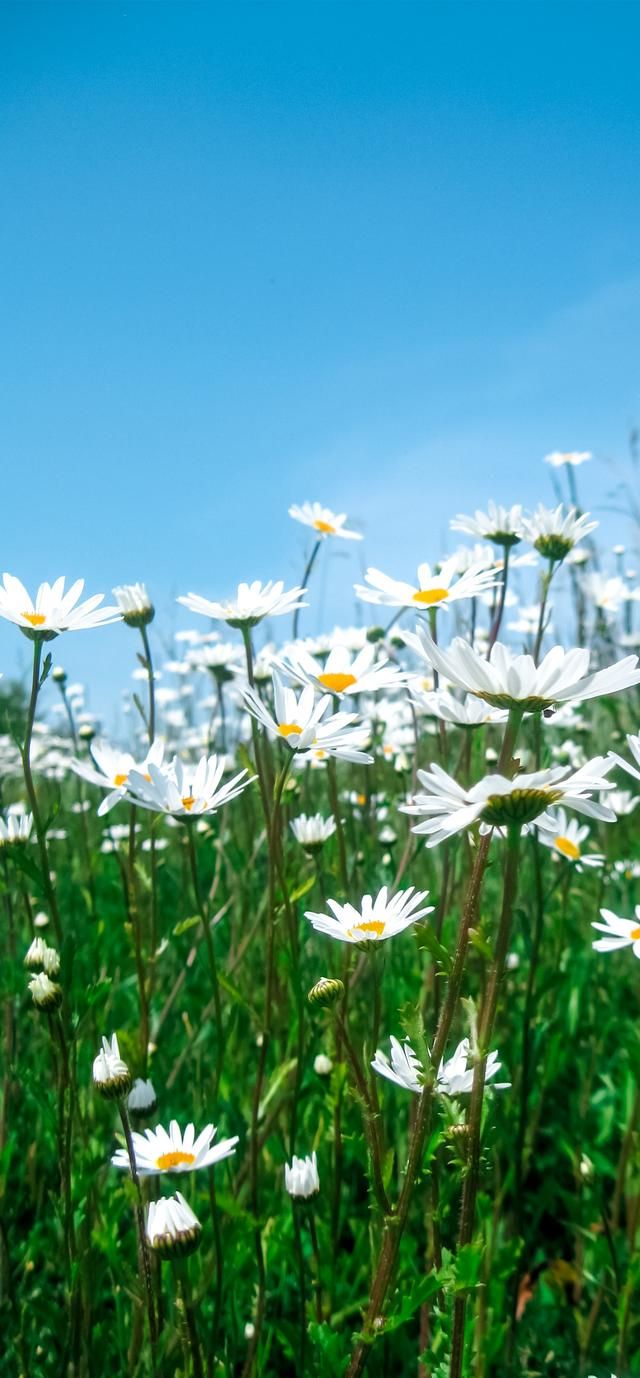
{"x":186,"y":790}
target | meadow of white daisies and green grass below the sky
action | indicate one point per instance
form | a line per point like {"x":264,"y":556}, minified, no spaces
{"x":321,"y":1004}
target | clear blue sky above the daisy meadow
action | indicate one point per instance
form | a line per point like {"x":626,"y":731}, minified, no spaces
{"x":384,"y":256}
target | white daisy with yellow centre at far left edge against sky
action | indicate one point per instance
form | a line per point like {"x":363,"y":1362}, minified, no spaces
{"x":53,"y":611}
